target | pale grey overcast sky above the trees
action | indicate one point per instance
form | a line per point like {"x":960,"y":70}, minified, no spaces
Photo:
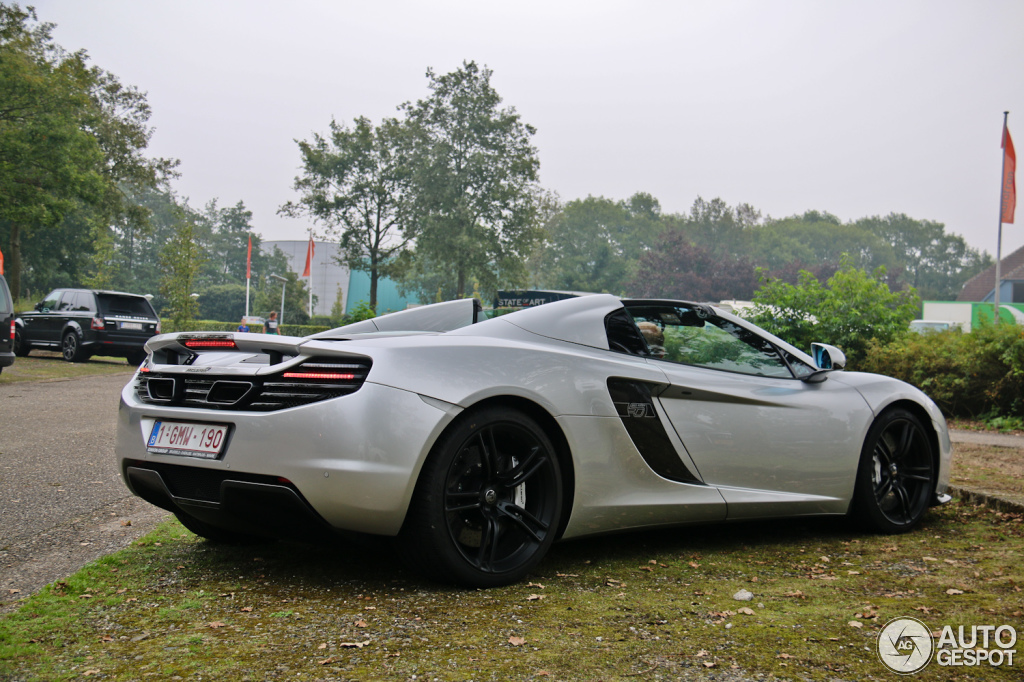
{"x":859,"y":108}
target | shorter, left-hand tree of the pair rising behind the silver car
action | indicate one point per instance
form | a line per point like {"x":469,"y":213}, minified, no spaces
{"x":356,"y":183}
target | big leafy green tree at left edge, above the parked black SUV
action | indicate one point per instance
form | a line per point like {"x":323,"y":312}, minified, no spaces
{"x":72,"y":139}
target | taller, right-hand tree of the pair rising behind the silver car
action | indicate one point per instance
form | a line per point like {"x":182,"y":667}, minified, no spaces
{"x":475,"y":178}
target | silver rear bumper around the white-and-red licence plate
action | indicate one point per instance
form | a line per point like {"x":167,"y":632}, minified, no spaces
{"x":354,"y":459}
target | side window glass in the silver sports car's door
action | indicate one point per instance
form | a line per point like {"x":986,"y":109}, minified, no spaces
{"x":697,"y":336}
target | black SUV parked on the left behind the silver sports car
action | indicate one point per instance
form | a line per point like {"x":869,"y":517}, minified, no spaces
{"x":82,"y":323}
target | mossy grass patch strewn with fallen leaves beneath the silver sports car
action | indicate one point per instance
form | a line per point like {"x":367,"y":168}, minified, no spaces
{"x":648,"y":606}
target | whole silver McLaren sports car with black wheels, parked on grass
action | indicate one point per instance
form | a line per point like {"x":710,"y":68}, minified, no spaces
{"x":479,"y":443}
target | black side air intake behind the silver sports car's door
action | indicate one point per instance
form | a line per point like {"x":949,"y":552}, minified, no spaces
{"x":636,"y":408}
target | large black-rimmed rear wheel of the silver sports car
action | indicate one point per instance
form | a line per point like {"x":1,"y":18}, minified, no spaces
{"x":489,"y":501}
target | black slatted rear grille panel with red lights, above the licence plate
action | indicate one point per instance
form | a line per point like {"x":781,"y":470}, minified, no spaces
{"x":313,"y":381}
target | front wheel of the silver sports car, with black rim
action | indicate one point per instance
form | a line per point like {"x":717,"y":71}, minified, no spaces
{"x":897,"y":477}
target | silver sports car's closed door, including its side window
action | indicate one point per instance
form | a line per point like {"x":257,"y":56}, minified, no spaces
{"x":772,"y":443}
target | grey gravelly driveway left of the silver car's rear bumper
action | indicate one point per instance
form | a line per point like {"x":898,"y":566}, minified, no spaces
{"x":62,"y":500}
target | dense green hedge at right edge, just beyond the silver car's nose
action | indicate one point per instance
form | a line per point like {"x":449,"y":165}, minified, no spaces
{"x":976,"y":375}
